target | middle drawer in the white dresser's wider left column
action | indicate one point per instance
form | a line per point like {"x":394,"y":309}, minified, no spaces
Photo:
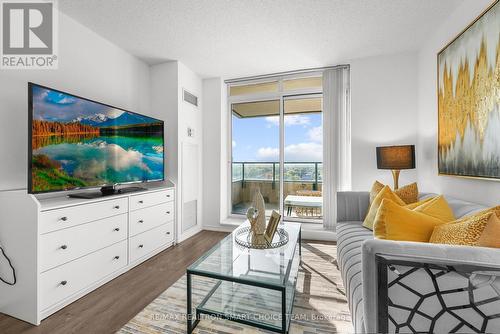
{"x":66,"y":245}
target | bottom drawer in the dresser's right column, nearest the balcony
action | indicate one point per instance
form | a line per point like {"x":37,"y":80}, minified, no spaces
{"x":145,"y":243}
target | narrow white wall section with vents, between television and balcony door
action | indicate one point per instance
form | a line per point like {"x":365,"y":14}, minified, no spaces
{"x":167,"y":83}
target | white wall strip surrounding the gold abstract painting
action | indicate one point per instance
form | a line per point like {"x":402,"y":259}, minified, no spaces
{"x":483,"y":191}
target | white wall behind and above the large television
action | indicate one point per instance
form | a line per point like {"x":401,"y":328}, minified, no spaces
{"x":89,"y":66}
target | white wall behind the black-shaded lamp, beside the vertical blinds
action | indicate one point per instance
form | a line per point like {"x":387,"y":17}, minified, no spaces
{"x":384,"y":112}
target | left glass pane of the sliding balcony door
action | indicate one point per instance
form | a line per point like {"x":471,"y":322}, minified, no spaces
{"x":255,"y":154}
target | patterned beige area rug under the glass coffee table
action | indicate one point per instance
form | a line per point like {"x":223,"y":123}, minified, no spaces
{"x":320,"y":305}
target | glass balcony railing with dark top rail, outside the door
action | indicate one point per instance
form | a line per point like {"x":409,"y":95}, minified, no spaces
{"x":296,"y":172}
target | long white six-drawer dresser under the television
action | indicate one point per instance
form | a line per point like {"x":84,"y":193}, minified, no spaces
{"x":63,"y":248}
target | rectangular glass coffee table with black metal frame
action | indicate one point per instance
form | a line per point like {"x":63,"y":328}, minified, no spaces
{"x":254,"y":287}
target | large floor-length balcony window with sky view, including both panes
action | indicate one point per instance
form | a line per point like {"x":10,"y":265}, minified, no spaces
{"x":277,"y":129}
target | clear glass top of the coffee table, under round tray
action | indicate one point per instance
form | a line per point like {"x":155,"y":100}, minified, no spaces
{"x":230,"y":261}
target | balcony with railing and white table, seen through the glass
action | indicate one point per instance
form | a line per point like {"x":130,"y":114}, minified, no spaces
{"x":302,"y":180}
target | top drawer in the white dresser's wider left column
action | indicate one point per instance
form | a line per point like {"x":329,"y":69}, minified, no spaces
{"x":54,"y":220}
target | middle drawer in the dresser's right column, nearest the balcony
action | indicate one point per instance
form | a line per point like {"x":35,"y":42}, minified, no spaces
{"x":147,"y":218}
